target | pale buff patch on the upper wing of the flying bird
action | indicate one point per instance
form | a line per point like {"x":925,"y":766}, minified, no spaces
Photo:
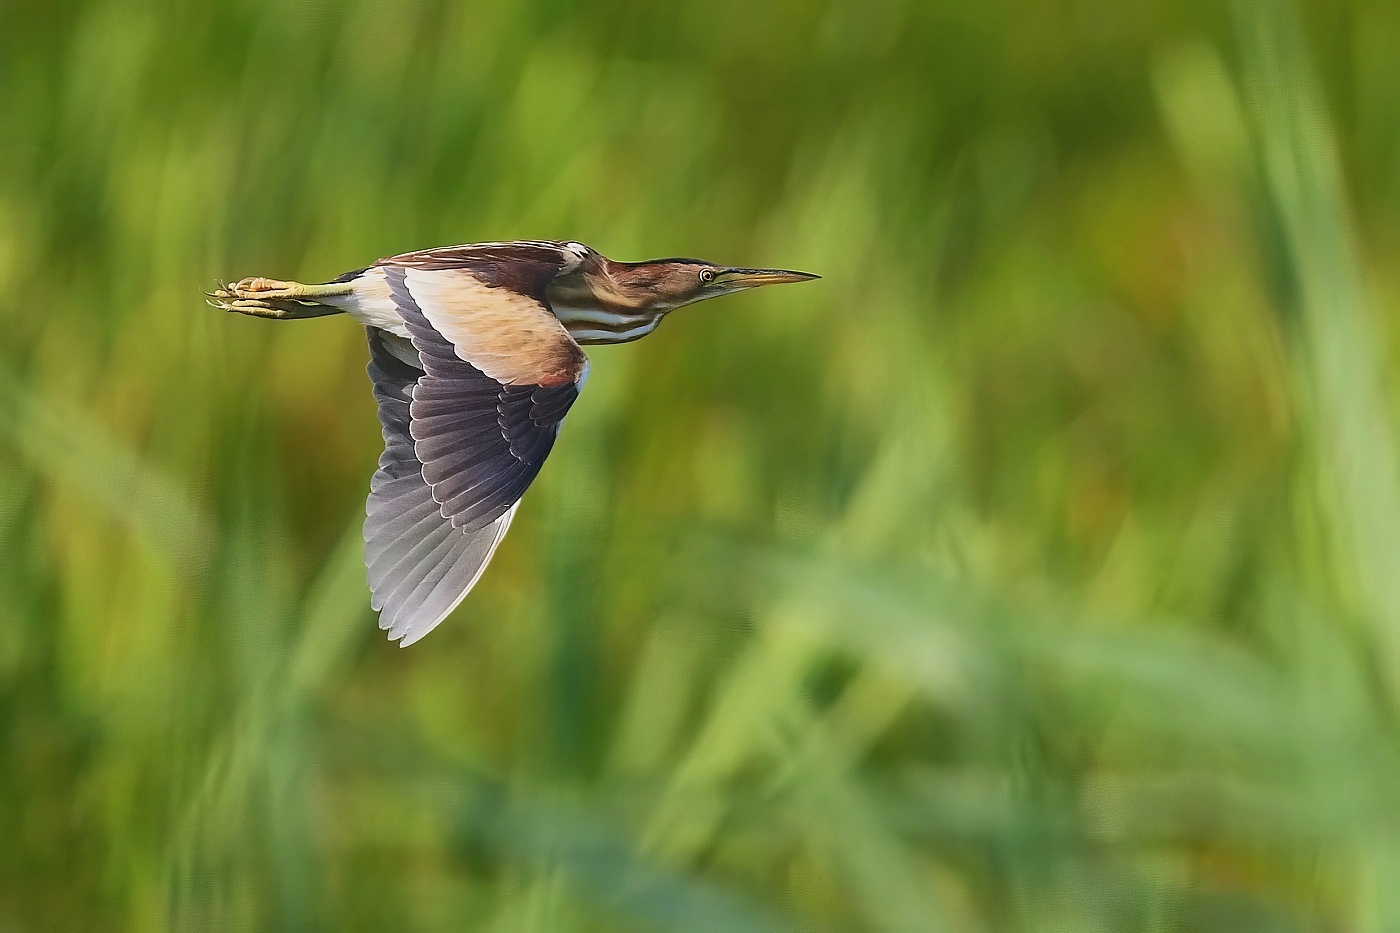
{"x":510,"y":337}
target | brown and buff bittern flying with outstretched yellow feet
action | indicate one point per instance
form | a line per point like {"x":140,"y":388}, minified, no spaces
{"x":475,"y":359}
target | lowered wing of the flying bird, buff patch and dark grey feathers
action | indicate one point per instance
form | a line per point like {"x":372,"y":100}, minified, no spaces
{"x":499,"y":372}
